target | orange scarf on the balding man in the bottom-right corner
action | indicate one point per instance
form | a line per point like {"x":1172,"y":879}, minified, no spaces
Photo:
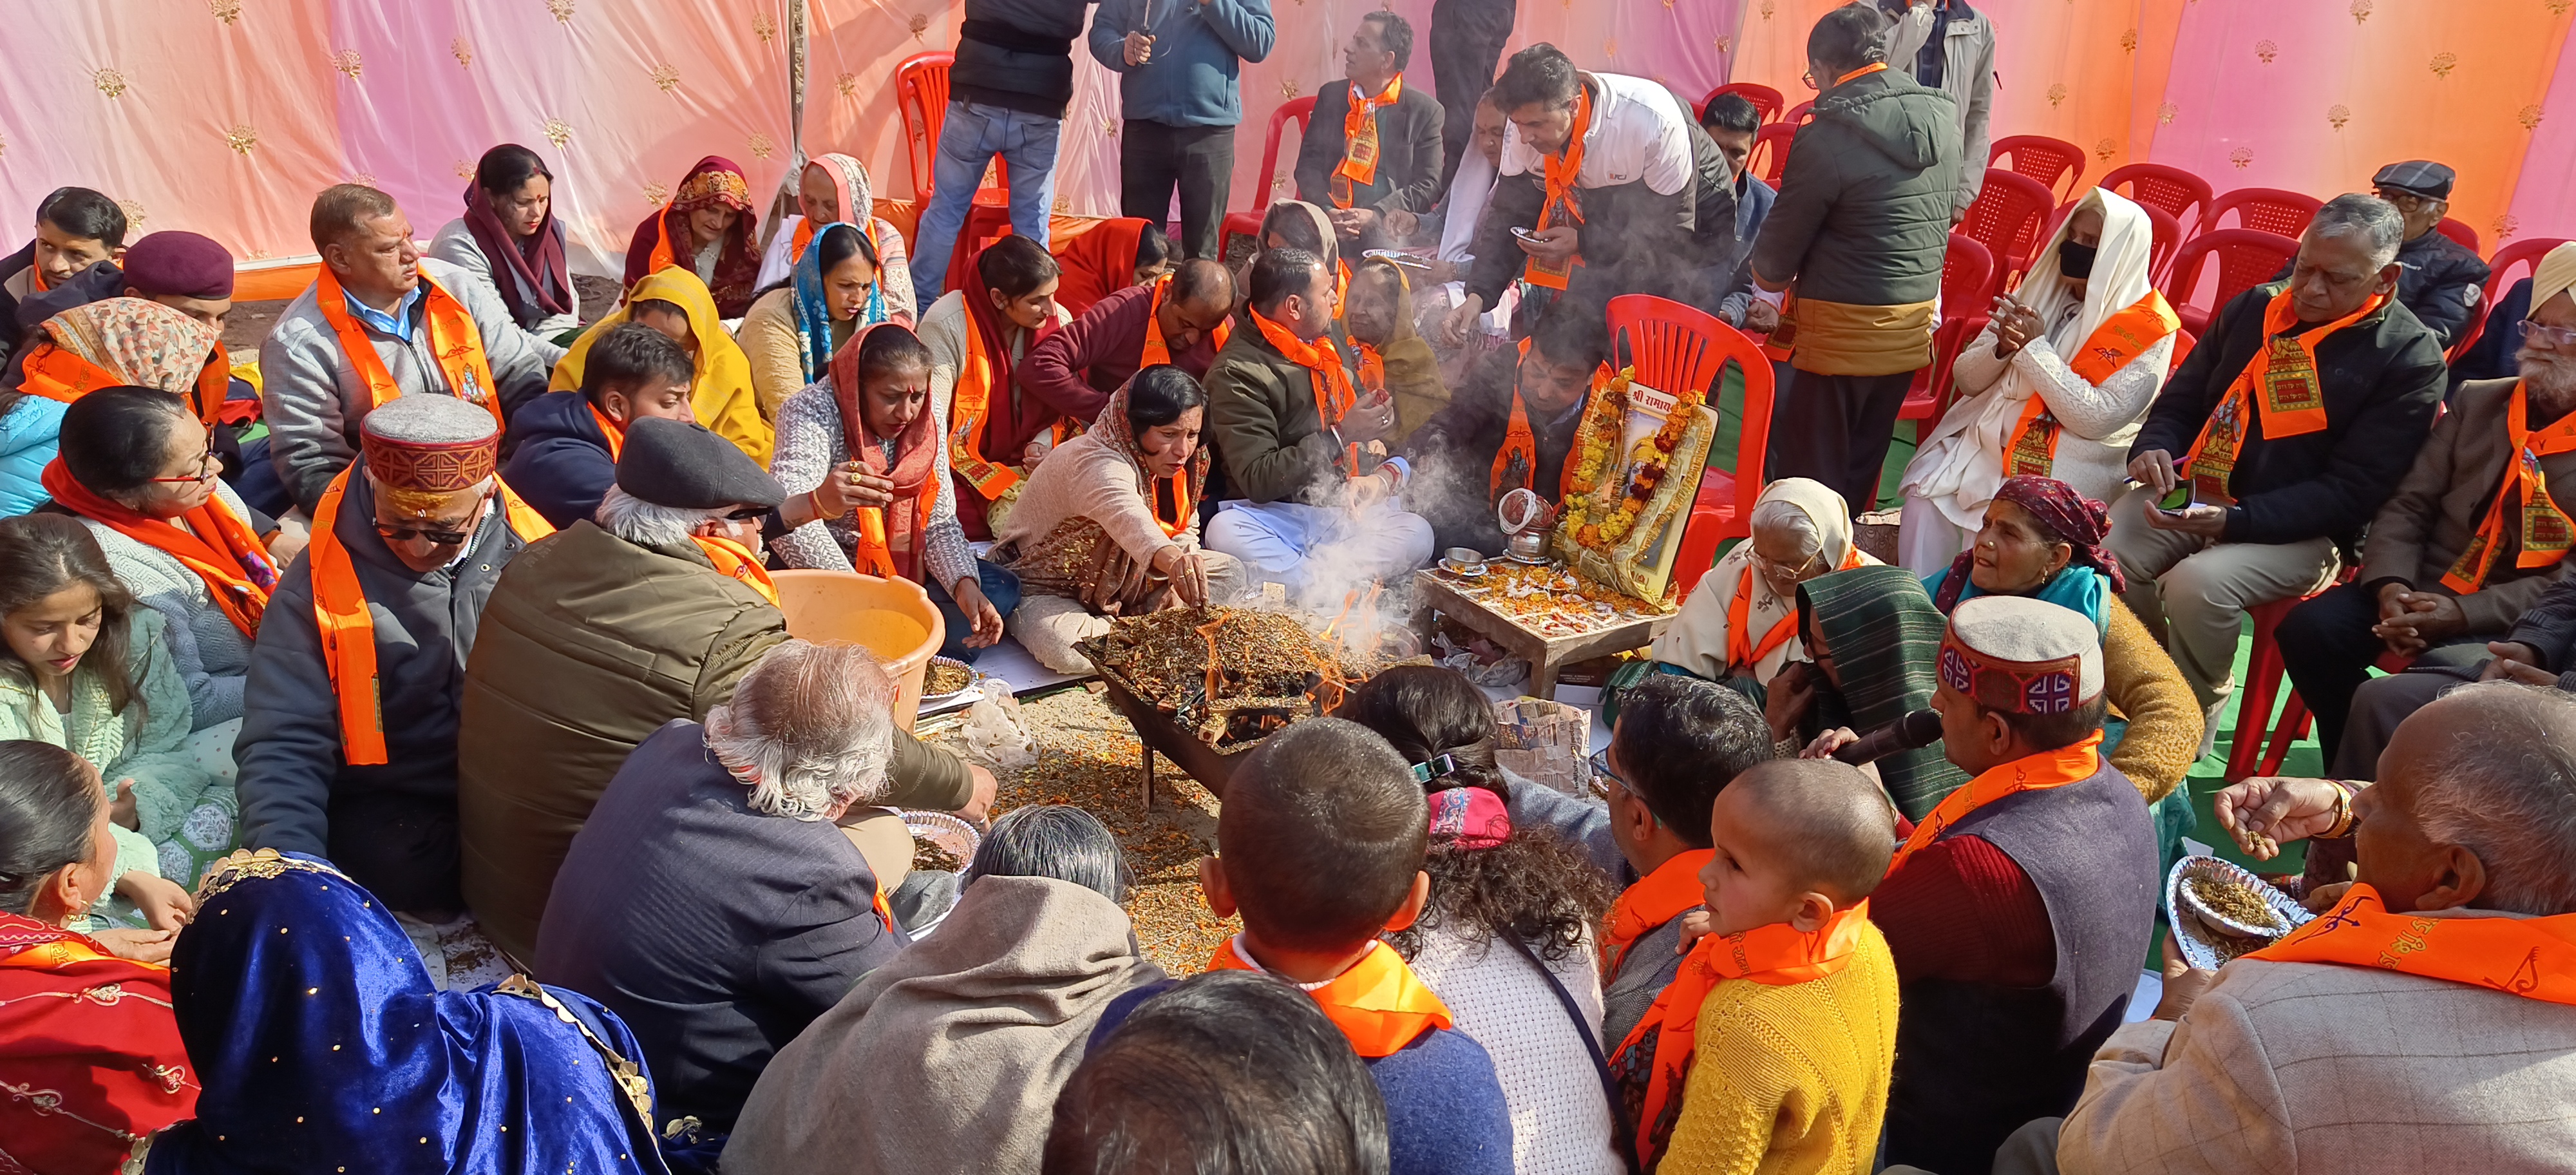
{"x":2531,"y":957}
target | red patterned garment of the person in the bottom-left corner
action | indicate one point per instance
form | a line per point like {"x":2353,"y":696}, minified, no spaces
{"x":91,"y":1040}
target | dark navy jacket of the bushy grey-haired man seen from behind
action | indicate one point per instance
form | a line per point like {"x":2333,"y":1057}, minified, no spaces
{"x":712,"y":929}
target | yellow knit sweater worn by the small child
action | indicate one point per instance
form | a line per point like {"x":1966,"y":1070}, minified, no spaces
{"x":1792,"y":1081}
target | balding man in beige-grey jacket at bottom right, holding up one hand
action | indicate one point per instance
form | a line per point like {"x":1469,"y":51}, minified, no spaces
{"x":2456,"y":937}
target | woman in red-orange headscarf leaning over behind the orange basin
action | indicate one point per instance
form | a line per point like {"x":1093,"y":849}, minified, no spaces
{"x":869,"y":424}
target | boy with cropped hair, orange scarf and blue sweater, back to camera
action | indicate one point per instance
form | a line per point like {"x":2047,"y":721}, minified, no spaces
{"x":1320,"y":846}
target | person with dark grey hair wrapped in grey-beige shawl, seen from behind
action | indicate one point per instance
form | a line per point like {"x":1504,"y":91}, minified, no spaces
{"x":985,"y":1019}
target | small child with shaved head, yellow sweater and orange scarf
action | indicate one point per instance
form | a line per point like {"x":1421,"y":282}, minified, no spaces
{"x":1781,"y":1029}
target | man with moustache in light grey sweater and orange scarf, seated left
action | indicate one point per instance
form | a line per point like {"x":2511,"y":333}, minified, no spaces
{"x":377,"y":287}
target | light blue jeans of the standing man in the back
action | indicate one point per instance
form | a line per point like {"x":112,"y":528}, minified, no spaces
{"x":970,"y":140}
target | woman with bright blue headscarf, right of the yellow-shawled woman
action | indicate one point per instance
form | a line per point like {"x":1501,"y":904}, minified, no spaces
{"x":795,"y":331}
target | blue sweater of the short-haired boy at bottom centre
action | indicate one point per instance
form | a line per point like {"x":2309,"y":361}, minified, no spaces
{"x":1444,"y":1104}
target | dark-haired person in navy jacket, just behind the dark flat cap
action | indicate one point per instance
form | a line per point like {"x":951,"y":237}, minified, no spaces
{"x":565,"y":444}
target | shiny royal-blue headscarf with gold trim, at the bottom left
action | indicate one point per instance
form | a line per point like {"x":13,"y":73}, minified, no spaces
{"x":321,"y":1045}
